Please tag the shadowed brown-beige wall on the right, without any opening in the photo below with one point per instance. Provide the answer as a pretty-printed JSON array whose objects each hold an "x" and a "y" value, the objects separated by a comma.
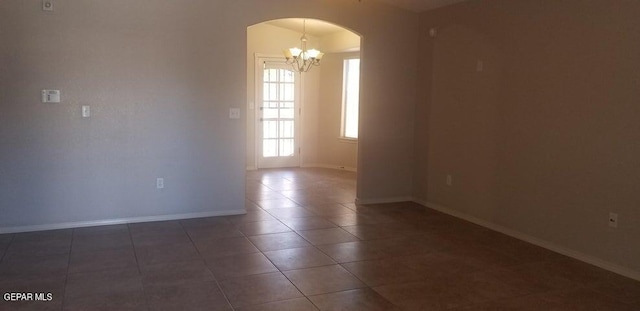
[{"x": 544, "y": 141}]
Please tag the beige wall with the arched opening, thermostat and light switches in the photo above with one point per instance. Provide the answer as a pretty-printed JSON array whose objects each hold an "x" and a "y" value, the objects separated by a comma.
[{"x": 160, "y": 77}]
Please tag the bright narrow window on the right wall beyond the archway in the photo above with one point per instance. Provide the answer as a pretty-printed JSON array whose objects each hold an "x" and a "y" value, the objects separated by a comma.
[{"x": 350, "y": 98}]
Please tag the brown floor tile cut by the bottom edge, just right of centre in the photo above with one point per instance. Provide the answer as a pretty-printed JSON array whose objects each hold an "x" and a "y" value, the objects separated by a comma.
[{"x": 355, "y": 300}]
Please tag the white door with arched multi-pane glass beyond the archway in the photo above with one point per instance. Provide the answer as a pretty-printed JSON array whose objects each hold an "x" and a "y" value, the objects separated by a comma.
[{"x": 278, "y": 116}]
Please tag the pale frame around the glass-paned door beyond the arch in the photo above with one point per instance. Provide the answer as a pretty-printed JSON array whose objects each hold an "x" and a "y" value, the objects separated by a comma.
[{"x": 259, "y": 58}]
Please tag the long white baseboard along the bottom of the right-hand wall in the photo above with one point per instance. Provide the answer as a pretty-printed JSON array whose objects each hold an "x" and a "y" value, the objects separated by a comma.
[{"x": 598, "y": 262}]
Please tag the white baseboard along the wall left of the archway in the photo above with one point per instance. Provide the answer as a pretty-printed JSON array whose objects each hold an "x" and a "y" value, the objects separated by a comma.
[{"x": 93, "y": 223}]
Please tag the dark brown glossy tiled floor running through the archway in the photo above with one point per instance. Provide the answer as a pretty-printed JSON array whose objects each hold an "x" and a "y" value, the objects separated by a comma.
[{"x": 303, "y": 245}]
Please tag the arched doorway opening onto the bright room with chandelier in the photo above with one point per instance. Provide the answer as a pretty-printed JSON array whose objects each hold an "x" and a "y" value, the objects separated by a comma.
[{"x": 318, "y": 134}]
